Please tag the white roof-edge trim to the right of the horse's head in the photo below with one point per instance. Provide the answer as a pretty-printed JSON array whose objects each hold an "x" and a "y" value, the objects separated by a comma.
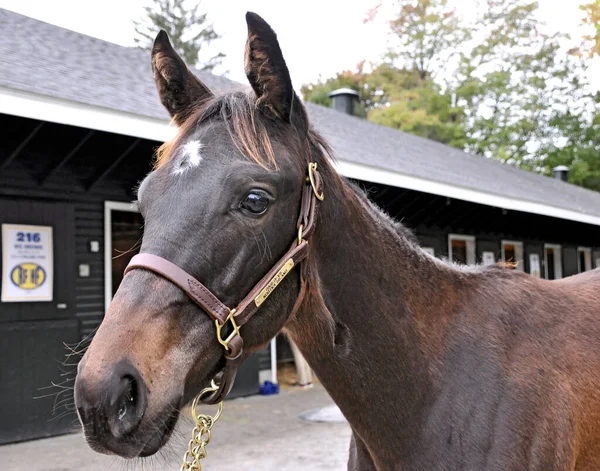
[{"x": 393, "y": 178}]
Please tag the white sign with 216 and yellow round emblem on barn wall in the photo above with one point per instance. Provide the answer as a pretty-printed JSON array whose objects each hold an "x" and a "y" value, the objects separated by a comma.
[{"x": 27, "y": 263}]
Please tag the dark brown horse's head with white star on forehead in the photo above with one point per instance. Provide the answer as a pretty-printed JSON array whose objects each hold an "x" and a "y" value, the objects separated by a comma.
[{"x": 222, "y": 204}]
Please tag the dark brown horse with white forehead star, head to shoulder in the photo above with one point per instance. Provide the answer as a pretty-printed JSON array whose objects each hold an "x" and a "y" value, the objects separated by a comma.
[{"x": 436, "y": 367}]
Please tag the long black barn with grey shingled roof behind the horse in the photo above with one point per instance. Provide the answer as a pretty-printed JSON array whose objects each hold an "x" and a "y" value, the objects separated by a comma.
[{"x": 80, "y": 120}]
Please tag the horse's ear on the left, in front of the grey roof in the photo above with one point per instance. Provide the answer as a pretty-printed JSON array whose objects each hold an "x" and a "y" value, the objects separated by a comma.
[{"x": 179, "y": 89}]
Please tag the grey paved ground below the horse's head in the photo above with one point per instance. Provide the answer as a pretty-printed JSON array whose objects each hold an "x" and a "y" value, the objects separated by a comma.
[{"x": 259, "y": 433}]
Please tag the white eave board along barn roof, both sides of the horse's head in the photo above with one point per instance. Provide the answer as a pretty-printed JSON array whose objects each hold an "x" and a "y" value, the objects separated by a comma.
[{"x": 56, "y": 110}]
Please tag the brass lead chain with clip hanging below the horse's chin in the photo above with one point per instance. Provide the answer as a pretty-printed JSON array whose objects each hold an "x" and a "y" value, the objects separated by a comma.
[{"x": 201, "y": 434}]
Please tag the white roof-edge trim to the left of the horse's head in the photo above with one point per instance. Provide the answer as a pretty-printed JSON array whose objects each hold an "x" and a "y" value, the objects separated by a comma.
[{"x": 56, "y": 110}]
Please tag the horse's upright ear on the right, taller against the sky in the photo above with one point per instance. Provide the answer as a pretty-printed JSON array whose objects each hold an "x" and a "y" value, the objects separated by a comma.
[{"x": 268, "y": 74}]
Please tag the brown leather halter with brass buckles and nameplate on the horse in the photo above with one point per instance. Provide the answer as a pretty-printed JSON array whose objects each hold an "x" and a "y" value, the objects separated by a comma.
[{"x": 312, "y": 192}]
